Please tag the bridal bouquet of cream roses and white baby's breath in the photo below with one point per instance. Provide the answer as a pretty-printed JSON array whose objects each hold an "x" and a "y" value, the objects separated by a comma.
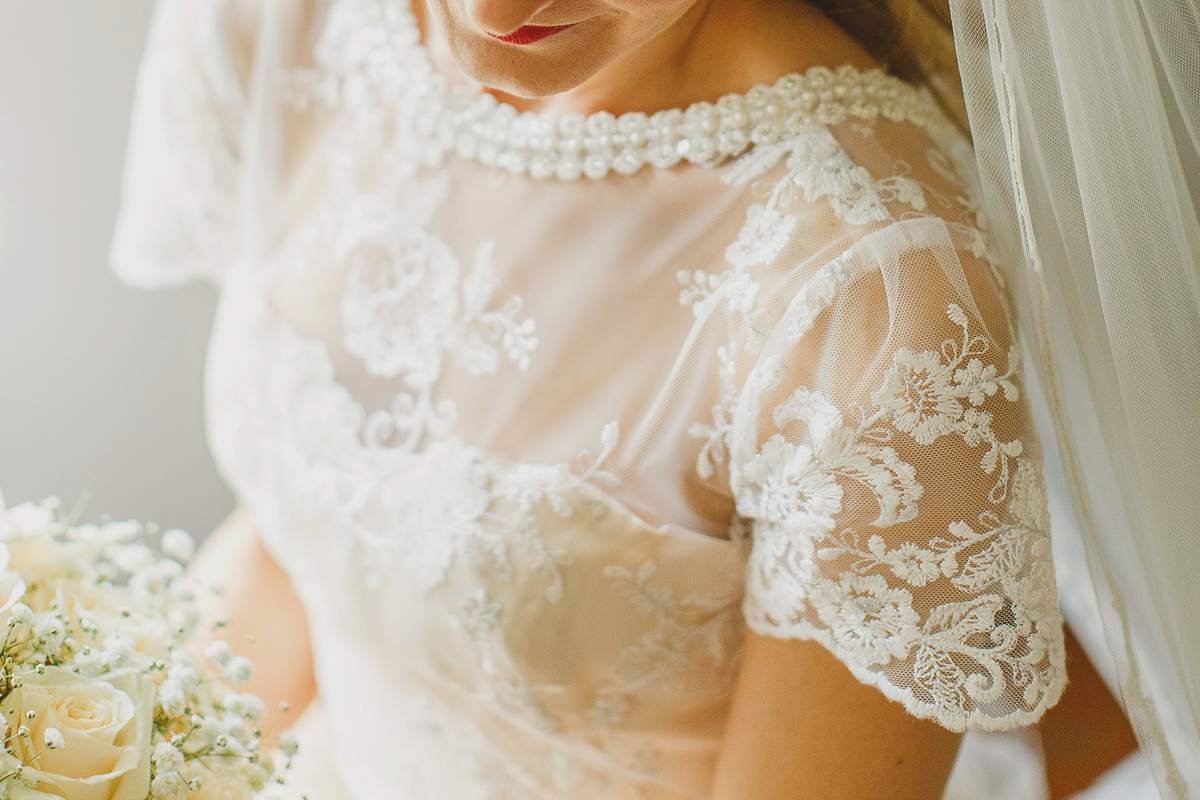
[{"x": 101, "y": 697}]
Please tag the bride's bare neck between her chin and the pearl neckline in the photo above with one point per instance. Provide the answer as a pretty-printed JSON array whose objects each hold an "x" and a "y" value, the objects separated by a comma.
[{"x": 717, "y": 49}]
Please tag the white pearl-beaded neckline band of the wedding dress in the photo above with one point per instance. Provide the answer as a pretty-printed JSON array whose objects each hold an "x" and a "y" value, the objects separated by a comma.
[{"x": 373, "y": 58}]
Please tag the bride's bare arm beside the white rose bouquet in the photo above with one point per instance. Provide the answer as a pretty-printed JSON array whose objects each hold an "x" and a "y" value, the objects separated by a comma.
[{"x": 267, "y": 622}]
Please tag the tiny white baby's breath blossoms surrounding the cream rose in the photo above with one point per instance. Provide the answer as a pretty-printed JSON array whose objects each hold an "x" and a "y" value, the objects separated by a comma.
[{"x": 109, "y": 606}]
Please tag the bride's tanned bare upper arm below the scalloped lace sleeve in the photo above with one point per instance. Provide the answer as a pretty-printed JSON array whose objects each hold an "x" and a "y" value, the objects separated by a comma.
[{"x": 803, "y": 729}]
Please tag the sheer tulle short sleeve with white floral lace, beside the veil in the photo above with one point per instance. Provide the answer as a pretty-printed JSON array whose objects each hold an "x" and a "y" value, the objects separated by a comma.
[{"x": 886, "y": 471}]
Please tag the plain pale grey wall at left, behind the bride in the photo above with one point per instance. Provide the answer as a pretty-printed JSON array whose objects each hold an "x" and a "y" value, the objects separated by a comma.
[{"x": 100, "y": 384}]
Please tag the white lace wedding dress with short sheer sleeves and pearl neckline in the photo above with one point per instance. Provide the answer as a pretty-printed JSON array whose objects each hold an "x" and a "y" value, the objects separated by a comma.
[{"x": 541, "y": 413}]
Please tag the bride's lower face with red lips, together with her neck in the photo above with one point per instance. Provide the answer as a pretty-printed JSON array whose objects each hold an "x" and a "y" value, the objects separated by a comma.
[{"x": 631, "y": 55}]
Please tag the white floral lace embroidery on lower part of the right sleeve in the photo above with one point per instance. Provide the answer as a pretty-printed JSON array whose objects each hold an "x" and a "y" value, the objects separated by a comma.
[{"x": 957, "y": 627}]
